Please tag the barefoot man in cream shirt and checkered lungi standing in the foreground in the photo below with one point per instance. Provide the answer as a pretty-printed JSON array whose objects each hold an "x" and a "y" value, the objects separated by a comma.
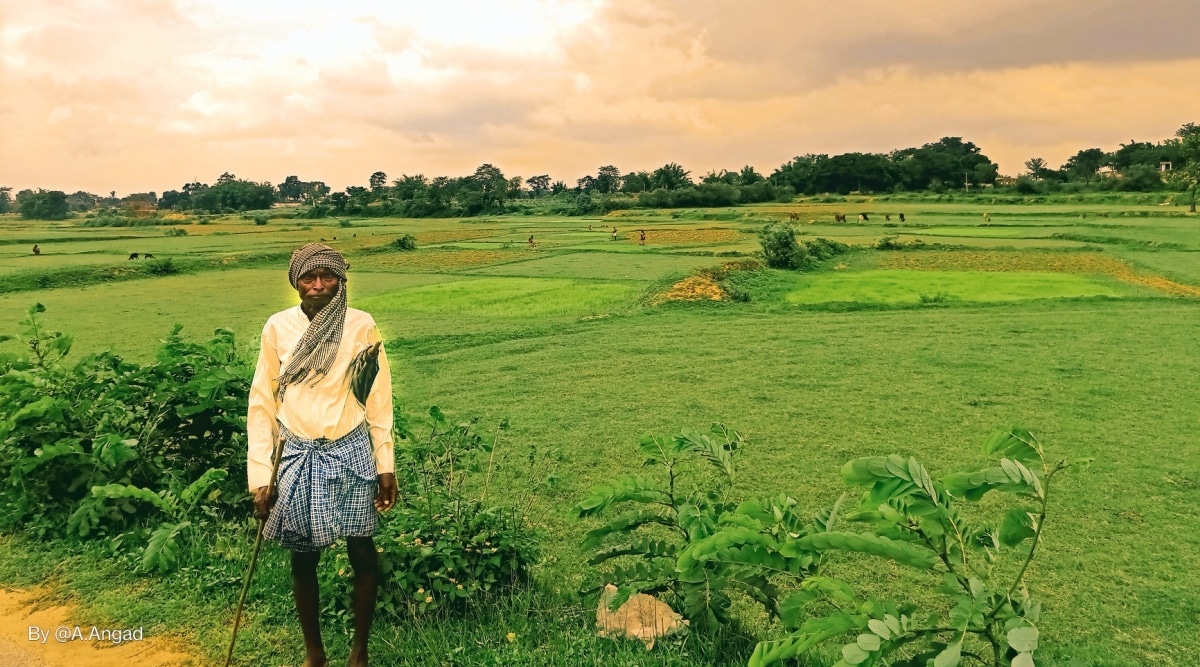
[{"x": 338, "y": 453}]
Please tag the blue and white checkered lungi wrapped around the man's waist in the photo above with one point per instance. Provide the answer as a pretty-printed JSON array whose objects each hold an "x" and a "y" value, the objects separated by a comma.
[{"x": 326, "y": 491}]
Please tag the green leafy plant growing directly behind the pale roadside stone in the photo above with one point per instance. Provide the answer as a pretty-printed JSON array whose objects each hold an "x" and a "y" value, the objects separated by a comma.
[{"x": 683, "y": 534}]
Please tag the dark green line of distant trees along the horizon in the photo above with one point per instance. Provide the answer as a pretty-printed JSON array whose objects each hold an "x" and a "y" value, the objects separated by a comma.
[{"x": 946, "y": 165}]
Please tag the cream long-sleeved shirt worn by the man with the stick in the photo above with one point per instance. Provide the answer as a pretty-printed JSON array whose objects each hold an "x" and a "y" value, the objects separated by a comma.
[{"x": 325, "y": 410}]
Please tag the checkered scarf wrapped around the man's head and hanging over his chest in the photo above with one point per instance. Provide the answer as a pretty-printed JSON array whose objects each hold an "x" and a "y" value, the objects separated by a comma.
[{"x": 315, "y": 353}]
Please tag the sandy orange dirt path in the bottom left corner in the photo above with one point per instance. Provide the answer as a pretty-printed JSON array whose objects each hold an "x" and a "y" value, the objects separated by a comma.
[{"x": 22, "y": 611}]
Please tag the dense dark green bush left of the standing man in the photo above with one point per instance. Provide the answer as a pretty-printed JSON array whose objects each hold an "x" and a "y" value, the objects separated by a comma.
[{"x": 70, "y": 428}]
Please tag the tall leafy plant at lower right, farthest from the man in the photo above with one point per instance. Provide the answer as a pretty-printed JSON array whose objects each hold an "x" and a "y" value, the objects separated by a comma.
[{"x": 988, "y": 618}]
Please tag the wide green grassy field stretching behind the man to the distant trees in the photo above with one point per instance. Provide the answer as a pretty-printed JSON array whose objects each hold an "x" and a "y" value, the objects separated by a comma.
[{"x": 815, "y": 369}]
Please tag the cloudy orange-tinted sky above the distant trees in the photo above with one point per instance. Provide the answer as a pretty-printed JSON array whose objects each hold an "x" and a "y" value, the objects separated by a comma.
[{"x": 147, "y": 95}]
